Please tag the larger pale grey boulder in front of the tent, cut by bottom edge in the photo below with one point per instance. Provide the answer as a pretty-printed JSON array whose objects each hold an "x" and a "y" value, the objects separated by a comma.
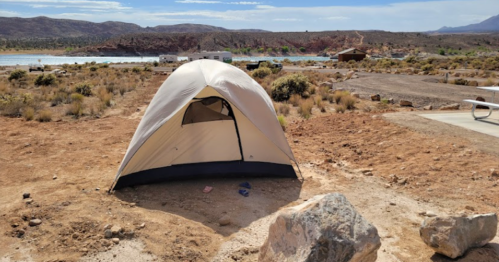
[{"x": 324, "y": 228}]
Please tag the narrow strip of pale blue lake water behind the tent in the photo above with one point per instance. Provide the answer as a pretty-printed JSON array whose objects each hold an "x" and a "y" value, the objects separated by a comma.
[{"x": 59, "y": 60}]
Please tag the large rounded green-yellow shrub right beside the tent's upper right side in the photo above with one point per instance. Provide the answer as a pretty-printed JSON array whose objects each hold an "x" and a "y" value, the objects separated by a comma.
[{"x": 284, "y": 87}]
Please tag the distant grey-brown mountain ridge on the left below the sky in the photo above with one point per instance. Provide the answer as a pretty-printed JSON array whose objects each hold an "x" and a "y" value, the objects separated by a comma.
[{"x": 45, "y": 27}]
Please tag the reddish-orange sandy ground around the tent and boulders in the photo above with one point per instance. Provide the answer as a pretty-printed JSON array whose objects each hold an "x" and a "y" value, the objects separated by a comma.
[{"x": 67, "y": 166}]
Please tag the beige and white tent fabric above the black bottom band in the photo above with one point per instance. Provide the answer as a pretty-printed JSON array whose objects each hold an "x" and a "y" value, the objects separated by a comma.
[{"x": 161, "y": 139}]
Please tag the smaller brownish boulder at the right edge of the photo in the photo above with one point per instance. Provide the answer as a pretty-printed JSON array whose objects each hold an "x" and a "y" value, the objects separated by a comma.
[{"x": 453, "y": 236}]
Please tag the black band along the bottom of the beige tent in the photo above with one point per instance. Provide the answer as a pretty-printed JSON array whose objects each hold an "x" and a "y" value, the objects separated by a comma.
[{"x": 206, "y": 170}]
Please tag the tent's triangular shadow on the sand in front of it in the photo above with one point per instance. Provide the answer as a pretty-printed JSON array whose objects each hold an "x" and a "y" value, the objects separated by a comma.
[{"x": 186, "y": 199}]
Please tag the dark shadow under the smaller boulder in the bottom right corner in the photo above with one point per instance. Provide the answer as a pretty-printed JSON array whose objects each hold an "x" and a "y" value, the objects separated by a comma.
[{"x": 487, "y": 253}]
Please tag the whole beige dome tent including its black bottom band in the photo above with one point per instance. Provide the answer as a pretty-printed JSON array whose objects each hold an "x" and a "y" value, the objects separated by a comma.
[{"x": 208, "y": 118}]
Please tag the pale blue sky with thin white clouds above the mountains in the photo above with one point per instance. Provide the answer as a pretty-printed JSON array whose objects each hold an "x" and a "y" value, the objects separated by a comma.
[{"x": 273, "y": 15}]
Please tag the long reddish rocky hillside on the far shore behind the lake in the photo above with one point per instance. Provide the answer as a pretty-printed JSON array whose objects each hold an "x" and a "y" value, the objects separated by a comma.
[{"x": 251, "y": 43}]
